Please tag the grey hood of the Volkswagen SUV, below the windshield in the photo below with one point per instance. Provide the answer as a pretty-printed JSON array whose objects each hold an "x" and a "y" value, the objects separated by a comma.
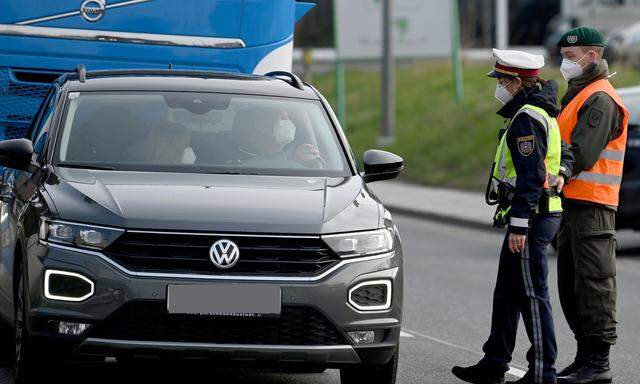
[{"x": 203, "y": 202}]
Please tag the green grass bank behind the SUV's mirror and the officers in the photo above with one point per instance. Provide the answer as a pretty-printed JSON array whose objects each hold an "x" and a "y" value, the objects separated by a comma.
[{"x": 443, "y": 142}]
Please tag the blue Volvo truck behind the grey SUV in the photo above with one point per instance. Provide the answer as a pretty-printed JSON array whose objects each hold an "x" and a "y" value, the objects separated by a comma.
[{"x": 40, "y": 39}]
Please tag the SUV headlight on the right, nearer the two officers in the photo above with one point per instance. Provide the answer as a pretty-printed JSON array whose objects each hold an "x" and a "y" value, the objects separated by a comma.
[{"x": 361, "y": 243}]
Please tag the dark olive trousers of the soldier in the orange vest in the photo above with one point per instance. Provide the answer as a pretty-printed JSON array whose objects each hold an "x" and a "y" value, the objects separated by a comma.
[{"x": 587, "y": 272}]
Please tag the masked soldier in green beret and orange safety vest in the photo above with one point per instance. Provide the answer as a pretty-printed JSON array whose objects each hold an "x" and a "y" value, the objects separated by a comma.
[{"x": 594, "y": 122}]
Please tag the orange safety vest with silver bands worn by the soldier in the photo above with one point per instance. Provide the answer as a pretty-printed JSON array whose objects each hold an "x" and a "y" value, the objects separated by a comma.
[{"x": 601, "y": 183}]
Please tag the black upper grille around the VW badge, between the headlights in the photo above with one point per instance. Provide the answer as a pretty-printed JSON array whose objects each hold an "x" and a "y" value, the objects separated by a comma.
[{"x": 189, "y": 253}]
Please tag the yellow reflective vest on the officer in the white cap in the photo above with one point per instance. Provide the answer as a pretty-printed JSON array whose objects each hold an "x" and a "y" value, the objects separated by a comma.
[{"x": 504, "y": 169}]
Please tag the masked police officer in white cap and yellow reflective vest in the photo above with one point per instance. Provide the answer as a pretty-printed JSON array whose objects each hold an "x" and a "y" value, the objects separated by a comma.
[{"x": 524, "y": 181}]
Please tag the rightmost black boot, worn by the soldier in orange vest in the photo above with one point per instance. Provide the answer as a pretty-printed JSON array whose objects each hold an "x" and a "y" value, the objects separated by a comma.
[{"x": 595, "y": 371}]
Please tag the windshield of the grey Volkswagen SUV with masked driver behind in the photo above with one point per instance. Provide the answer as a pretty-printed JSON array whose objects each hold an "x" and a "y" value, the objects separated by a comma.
[{"x": 199, "y": 132}]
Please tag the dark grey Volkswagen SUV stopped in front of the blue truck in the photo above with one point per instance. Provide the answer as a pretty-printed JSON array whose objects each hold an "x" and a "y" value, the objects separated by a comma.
[{"x": 197, "y": 214}]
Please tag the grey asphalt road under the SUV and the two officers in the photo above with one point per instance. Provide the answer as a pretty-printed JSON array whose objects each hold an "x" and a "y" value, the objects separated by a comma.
[{"x": 449, "y": 278}]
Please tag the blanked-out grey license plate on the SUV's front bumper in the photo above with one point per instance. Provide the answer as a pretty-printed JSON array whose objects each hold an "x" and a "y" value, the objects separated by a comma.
[{"x": 233, "y": 300}]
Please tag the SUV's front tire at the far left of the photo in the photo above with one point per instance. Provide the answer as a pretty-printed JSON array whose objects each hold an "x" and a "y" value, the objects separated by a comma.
[{"x": 26, "y": 364}]
